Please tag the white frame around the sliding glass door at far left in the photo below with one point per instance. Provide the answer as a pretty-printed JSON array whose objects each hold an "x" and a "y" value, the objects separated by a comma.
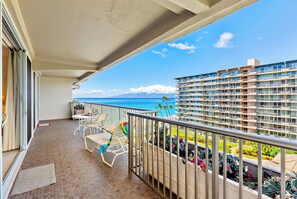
[{"x": 9, "y": 30}]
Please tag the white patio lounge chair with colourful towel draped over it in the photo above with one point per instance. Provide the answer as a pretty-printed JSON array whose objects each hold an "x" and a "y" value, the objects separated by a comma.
[{"x": 111, "y": 141}]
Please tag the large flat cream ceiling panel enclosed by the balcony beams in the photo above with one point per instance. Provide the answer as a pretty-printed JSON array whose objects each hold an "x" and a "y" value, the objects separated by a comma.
[{"x": 85, "y": 31}]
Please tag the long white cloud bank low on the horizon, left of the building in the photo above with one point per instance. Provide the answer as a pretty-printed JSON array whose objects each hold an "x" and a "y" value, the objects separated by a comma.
[{"x": 157, "y": 88}]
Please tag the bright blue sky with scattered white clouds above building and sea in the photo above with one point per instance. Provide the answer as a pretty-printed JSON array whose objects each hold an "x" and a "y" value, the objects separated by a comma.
[{"x": 265, "y": 30}]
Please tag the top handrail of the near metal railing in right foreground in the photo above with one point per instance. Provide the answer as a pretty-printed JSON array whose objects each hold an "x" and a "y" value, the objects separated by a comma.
[{"x": 283, "y": 143}]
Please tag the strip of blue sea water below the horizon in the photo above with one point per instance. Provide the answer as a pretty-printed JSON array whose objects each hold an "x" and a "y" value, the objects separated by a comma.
[{"x": 142, "y": 103}]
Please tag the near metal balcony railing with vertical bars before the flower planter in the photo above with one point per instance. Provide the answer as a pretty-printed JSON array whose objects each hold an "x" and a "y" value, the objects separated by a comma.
[{"x": 162, "y": 165}]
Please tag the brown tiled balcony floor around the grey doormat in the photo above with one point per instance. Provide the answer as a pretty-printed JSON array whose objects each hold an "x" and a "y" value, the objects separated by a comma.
[{"x": 79, "y": 174}]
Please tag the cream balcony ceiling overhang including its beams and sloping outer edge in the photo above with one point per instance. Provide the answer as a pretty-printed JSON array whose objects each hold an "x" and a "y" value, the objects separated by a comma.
[{"x": 79, "y": 38}]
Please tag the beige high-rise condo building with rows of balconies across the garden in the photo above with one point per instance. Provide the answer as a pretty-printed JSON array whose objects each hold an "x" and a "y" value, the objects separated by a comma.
[{"x": 254, "y": 98}]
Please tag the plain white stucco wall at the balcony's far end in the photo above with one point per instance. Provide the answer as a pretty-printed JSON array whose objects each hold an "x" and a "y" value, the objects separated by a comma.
[{"x": 55, "y": 95}]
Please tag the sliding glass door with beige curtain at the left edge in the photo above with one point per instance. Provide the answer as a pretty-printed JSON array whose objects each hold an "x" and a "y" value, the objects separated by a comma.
[{"x": 16, "y": 103}]
